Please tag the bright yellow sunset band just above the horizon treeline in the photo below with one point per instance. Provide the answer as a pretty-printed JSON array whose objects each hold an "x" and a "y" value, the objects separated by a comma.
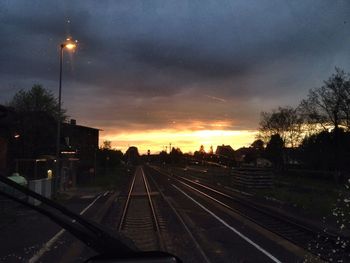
[{"x": 186, "y": 140}]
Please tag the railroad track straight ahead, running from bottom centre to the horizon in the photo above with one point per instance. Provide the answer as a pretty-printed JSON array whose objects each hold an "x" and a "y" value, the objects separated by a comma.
[{"x": 139, "y": 220}]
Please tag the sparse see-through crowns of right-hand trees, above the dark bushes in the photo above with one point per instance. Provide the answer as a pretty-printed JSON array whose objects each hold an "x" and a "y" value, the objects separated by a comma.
[{"x": 325, "y": 108}]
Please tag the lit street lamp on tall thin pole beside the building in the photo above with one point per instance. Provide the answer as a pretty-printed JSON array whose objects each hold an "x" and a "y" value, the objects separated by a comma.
[{"x": 69, "y": 45}]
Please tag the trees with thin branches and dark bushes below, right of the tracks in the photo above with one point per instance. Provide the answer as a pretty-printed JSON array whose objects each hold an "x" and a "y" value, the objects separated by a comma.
[{"x": 317, "y": 130}]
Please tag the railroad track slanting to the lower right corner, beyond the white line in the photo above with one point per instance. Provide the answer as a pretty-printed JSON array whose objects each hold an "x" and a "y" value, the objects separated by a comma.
[{"x": 319, "y": 243}]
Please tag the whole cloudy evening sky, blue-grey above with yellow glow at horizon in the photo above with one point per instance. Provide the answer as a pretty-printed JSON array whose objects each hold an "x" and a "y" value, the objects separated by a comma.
[{"x": 187, "y": 72}]
